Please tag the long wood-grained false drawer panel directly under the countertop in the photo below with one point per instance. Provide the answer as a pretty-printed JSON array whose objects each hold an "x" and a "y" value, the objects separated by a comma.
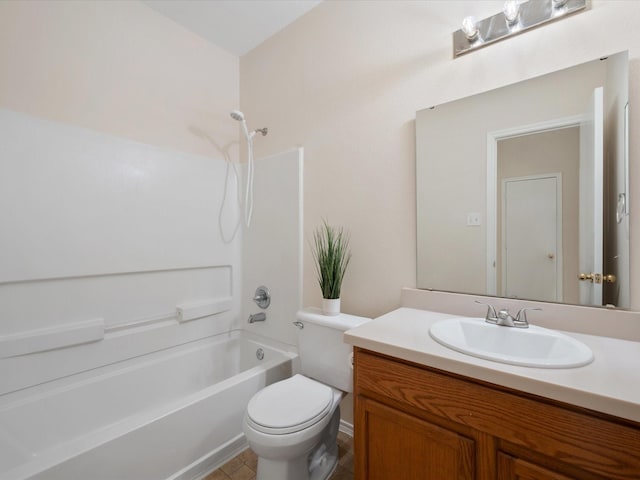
[{"x": 601, "y": 448}]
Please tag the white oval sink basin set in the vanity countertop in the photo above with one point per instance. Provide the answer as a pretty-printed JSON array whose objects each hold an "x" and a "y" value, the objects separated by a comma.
[{"x": 527, "y": 347}]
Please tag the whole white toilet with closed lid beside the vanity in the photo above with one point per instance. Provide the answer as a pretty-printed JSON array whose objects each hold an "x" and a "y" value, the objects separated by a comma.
[{"x": 292, "y": 425}]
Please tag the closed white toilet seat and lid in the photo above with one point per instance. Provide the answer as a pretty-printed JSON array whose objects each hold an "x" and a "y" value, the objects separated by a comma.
[{"x": 289, "y": 406}]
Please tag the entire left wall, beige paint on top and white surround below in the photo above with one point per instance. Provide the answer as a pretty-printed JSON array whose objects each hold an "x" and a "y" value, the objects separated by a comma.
[{"x": 113, "y": 176}]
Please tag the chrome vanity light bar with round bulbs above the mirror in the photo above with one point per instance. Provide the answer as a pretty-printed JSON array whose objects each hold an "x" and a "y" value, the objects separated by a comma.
[{"x": 516, "y": 17}]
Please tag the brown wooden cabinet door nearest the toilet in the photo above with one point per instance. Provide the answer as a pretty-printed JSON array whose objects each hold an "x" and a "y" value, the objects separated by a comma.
[{"x": 394, "y": 445}]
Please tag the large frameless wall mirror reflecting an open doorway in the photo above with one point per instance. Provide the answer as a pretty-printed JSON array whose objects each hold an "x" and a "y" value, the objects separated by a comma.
[{"x": 522, "y": 192}]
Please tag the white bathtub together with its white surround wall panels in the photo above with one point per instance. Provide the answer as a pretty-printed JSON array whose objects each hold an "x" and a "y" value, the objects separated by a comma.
[{"x": 123, "y": 310}]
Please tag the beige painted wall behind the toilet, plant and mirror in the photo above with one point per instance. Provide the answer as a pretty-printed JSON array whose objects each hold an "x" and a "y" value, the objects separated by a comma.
[{"x": 345, "y": 82}]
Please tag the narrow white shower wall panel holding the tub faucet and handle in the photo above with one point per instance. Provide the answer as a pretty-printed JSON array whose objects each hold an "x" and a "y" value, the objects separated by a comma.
[{"x": 273, "y": 246}]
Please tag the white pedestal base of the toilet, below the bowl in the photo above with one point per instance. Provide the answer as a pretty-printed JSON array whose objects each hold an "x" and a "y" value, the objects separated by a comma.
[{"x": 318, "y": 464}]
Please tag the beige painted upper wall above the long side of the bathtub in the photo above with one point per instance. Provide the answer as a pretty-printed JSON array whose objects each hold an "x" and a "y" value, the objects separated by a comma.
[{"x": 121, "y": 68}]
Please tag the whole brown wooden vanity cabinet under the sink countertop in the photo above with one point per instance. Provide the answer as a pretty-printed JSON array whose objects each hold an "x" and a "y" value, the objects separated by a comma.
[{"x": 415, "y": 422}]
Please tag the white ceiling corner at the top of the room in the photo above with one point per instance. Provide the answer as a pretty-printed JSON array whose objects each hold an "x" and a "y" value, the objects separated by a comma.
[{"x": 234, "y": 25}]
